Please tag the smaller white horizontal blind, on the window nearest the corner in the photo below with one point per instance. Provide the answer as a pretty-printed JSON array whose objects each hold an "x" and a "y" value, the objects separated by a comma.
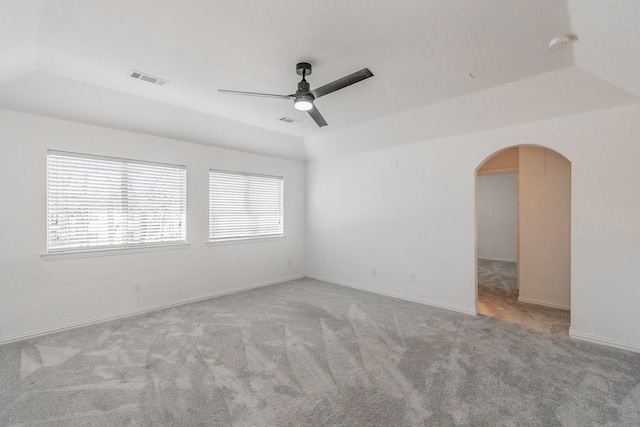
[{"x": 244, "y": 205}]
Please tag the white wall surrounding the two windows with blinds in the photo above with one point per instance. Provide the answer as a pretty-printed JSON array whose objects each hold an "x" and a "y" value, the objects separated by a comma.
[{"x": 37, "y": 295}]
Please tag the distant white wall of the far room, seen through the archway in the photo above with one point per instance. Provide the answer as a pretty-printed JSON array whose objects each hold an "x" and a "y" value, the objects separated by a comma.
[{"x": 497, "y": 216}]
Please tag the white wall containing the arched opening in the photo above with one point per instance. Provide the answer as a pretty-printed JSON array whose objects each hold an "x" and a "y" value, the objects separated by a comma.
[{"x": 410, "y": 209}]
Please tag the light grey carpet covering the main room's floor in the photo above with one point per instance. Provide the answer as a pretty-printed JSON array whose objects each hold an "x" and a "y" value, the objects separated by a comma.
[{"x": 308, "y": 353}]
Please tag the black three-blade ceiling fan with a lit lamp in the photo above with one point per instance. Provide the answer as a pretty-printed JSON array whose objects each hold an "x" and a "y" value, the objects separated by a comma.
[{"x": 304, "y": 96}]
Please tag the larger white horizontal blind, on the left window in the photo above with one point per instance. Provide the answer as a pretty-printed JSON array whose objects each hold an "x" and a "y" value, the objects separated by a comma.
[{"x": 100, "y": 202}]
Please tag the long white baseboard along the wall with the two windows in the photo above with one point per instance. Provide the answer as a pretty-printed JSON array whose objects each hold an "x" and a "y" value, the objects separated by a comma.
[{"x": 149, "y": 309}]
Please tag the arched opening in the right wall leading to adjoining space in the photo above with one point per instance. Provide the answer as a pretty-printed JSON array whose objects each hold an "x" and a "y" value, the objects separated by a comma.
[{"x": 523, "y": 225}]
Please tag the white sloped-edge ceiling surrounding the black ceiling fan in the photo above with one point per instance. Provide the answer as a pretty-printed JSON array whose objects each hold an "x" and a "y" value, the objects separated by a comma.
[{"x": 71, "y": 59}]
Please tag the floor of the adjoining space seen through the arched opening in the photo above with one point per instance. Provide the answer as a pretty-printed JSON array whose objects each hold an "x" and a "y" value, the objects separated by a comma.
[{"x": 498, "y": 298}]
